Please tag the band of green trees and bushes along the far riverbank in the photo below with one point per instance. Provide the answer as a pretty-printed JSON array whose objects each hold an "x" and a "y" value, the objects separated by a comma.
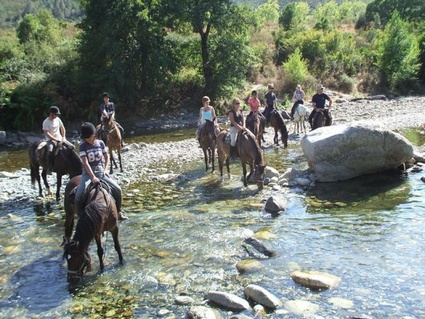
[{"x": 159, "y": 56}]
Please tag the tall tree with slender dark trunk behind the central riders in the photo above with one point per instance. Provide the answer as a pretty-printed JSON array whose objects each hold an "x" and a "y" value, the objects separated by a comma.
[{"x": 223, "y": 31}]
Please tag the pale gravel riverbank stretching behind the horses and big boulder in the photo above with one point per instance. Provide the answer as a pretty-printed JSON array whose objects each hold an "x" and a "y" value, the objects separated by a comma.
[{"x": 395, "y": 114}]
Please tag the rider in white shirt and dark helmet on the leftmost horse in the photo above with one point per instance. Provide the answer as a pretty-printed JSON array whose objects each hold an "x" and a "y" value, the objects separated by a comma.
[{"x": 55, "y": 132}]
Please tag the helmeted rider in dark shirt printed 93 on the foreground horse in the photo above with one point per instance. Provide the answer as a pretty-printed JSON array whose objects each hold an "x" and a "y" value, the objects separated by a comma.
[{"x": 95, "y": 158}]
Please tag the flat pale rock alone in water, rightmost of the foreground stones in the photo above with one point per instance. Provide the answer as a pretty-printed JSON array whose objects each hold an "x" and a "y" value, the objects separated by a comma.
[{"x": 315, "y": 279}]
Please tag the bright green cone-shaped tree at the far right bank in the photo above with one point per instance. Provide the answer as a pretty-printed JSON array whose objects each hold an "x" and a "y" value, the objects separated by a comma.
[{"x": 398, "y": 55}]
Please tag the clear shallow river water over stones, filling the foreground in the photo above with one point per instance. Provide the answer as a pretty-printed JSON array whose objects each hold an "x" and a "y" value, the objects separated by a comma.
[{"x": 184, "y": 237}]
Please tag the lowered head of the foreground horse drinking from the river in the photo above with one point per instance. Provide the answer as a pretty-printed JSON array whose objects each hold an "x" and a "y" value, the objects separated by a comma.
[{"x": 78, "y": 260}]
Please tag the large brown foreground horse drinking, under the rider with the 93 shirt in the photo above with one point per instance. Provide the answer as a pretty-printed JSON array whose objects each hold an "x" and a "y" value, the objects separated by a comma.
[{"x": 100, "y": 215}]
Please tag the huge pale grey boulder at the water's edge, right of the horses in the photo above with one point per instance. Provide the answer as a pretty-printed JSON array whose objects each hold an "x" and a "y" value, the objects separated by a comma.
[{"x": 342, "y": 152}]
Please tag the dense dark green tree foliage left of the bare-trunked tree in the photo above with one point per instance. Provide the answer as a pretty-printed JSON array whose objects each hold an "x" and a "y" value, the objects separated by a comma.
[{"x": 123, "y": 50}]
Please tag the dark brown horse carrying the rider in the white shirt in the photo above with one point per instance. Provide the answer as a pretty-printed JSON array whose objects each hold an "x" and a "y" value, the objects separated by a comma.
[{"x": 66, "y": 161}]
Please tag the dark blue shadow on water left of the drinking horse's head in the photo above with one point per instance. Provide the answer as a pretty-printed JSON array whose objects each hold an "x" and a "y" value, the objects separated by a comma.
[{"x": 40, "y": 286}]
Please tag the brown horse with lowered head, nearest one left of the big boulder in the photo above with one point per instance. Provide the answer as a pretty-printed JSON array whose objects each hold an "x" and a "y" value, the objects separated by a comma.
[{"x": 249, "y": 153}]
